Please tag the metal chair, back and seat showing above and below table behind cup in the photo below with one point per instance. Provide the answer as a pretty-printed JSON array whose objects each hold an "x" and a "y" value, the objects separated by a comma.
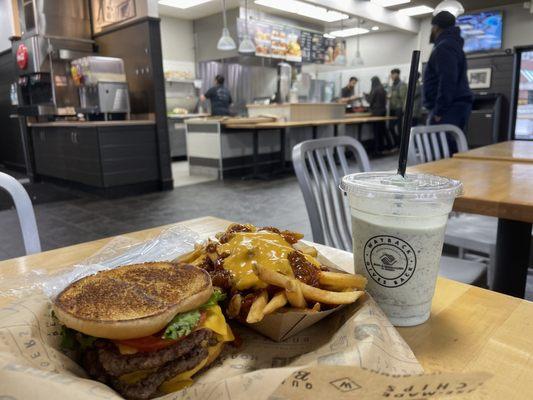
[{"x": 469, "y": 233}]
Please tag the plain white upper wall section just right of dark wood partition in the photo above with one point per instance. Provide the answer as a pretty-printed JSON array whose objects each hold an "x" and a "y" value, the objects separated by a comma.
[{"x": 177, "y": 41}]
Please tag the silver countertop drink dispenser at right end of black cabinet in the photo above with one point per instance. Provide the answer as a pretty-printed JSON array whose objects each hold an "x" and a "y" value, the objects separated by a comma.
[{"x": 103, "y": 88}]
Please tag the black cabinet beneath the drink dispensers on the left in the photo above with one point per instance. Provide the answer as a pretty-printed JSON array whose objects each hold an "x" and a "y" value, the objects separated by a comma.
[{"x": 104, "y": 156}]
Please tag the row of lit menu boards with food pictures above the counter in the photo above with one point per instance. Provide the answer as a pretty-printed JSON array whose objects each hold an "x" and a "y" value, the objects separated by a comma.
[{"x": 292, "y": 44}]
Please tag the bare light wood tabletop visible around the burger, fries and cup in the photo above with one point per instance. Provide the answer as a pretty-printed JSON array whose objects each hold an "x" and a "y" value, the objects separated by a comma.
[{"x": 470, "y": 329}]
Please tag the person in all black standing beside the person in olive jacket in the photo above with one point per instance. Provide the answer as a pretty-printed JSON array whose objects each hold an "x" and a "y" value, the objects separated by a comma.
[{"x": 377, "y": 99}]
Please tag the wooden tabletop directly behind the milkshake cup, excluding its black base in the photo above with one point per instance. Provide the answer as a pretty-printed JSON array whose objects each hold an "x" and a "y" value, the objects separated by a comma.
[{"x": 494, "y": 188}]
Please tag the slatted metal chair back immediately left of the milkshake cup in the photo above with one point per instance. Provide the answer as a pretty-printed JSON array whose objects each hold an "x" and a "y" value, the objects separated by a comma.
[{"x": 320, "y": 165}]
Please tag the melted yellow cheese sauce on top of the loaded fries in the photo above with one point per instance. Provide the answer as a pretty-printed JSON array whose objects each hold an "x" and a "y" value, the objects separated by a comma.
[{"x": 268, "y": 249}]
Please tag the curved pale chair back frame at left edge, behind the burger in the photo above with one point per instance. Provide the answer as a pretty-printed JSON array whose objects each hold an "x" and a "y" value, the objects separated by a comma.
[{"x": 28, "y": 225}]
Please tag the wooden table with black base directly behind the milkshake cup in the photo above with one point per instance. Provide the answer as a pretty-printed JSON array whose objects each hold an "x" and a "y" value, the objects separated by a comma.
[{"x": 503, "y": 190}]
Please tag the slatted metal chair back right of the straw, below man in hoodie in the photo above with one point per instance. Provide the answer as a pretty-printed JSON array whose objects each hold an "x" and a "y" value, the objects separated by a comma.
[{"x": 429, "y": 142}]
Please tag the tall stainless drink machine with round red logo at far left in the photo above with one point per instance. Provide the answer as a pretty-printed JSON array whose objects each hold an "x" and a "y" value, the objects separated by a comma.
[{"x": 54, "y": 33}]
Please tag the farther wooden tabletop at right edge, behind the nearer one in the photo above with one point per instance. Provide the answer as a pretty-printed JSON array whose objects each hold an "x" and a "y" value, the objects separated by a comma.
[{"x": 513, "y": 151}]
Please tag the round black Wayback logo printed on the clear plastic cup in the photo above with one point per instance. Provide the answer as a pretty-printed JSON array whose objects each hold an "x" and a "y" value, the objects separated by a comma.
[{"x": 390, "y": 261}]
